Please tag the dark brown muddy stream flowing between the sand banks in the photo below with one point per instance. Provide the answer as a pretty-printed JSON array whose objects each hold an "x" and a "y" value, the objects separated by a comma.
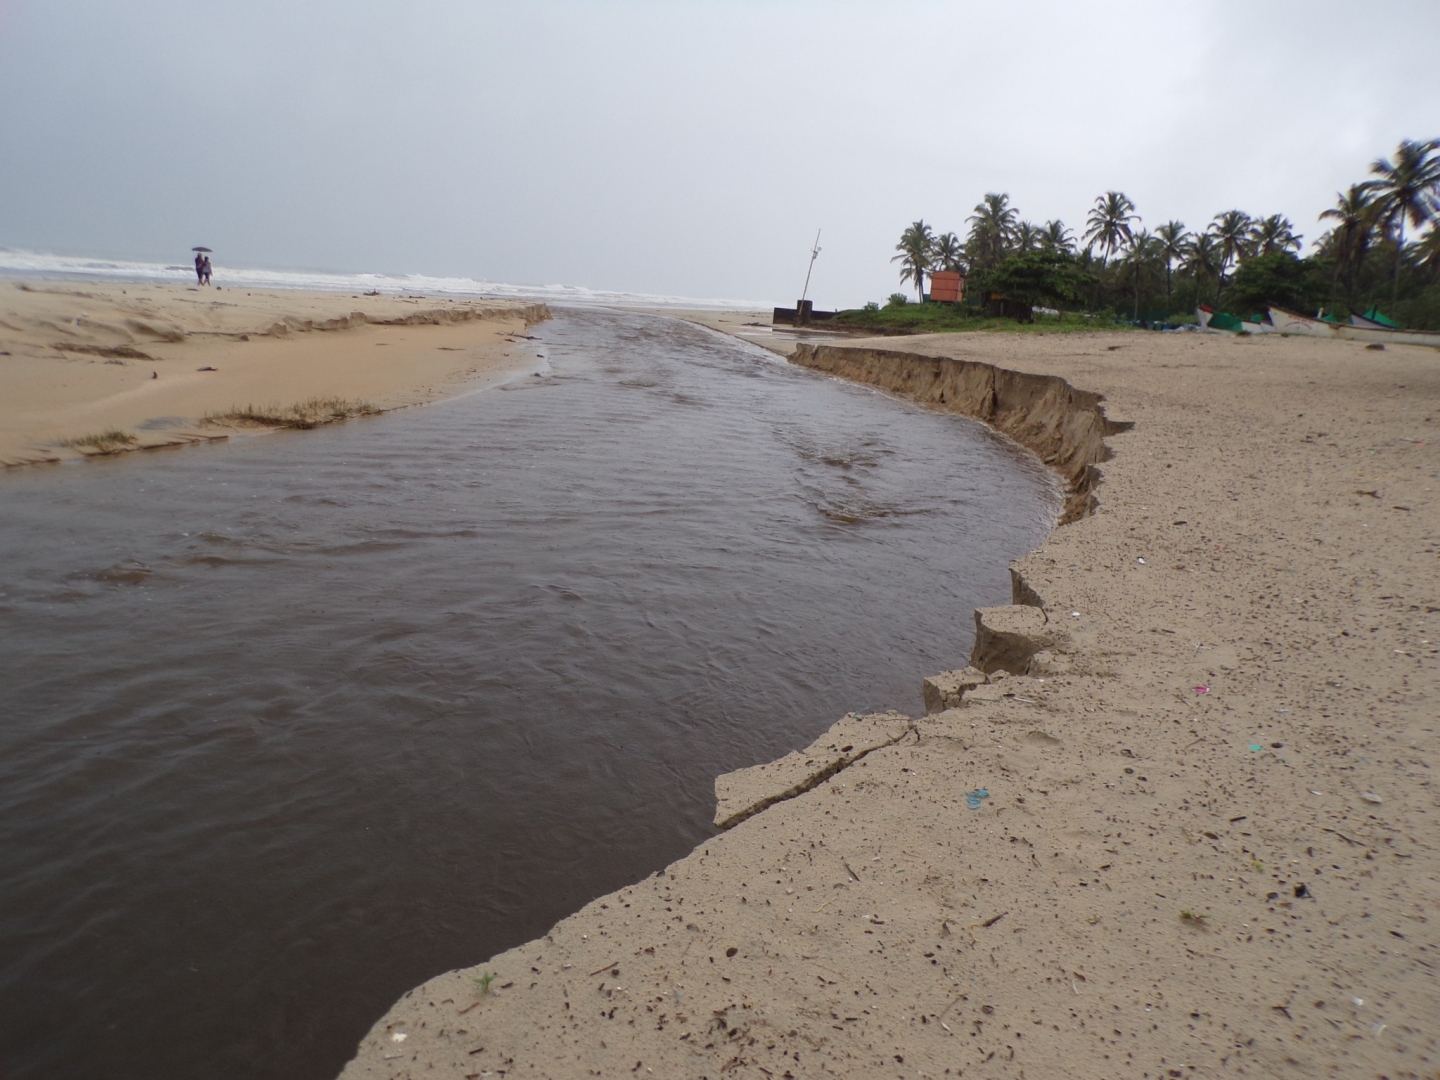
[{"x": 294, "y": 724}]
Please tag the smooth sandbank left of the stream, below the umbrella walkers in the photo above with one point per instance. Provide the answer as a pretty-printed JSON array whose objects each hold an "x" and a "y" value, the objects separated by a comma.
[{"x": 153, "y": 362}]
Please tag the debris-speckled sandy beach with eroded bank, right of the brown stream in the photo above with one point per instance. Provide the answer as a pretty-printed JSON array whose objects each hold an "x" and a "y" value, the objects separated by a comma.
[{"x": 1177, "y": 820}]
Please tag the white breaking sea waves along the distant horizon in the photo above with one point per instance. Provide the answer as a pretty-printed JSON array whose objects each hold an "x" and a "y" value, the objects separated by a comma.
[{"x": 25, "y": 264}]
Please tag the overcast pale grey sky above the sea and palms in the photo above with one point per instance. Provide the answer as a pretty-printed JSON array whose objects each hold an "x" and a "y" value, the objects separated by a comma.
[{"x": 676, "y": 148}]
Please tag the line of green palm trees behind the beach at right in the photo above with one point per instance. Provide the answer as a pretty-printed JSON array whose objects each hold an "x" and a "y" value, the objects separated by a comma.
[{"x": 1382, "y": 248}]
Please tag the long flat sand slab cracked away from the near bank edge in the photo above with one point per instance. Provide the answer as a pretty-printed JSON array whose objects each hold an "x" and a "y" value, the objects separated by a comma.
[{"x": 745, "y": 793}]
